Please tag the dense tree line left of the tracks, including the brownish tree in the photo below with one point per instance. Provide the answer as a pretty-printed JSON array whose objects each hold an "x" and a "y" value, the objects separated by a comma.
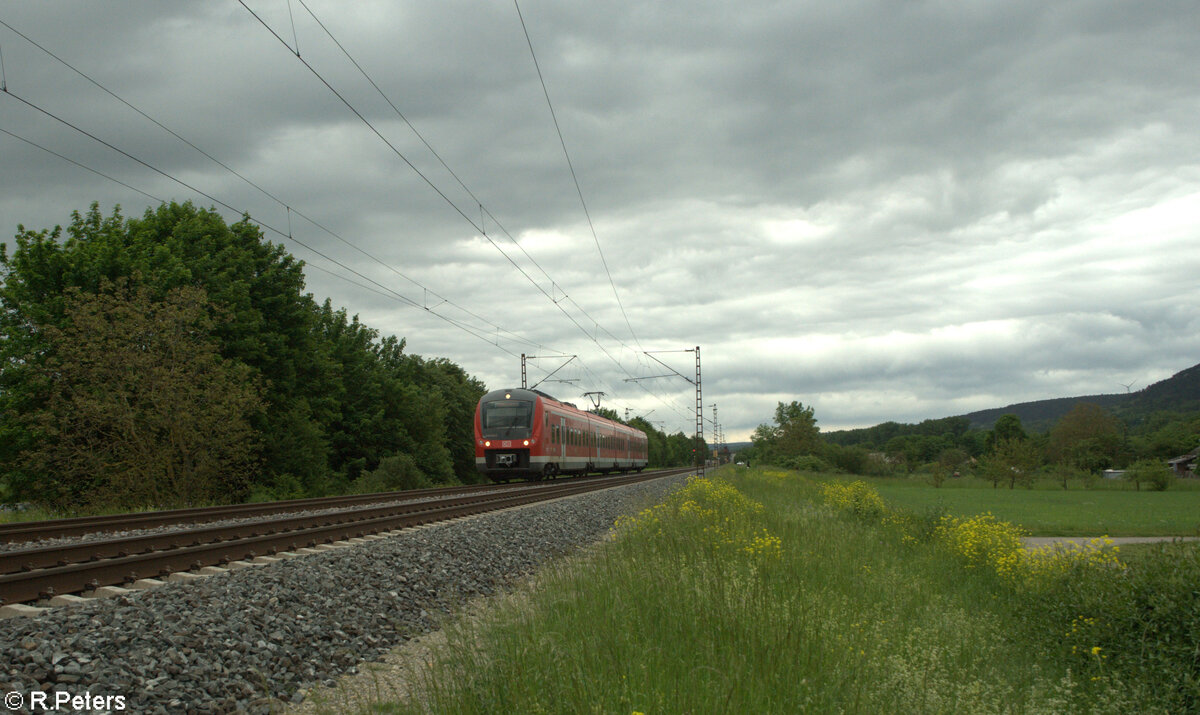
[{"x": 176, "y": 359}]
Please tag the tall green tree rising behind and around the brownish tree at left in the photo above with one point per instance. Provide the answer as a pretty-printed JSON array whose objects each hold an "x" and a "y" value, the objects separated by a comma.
[{"x": 268, "y": 327}]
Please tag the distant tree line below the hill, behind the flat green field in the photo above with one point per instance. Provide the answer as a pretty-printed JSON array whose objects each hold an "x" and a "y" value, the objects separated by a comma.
[{"x": 1083, "y": 443}]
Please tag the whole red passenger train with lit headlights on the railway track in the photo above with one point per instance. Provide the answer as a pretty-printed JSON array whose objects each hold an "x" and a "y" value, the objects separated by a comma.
[{"x": 526, "y": 434}]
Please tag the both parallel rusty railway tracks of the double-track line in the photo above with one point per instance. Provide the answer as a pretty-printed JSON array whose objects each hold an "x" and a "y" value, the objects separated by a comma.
[{"x": 40, "y": 573}]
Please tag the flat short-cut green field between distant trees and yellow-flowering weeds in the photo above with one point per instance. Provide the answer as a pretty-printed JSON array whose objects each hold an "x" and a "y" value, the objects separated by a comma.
[{"x": 1057, "y": 512}]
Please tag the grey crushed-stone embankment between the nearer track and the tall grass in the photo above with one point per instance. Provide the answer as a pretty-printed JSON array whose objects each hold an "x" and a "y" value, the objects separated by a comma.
[{"x": 235, "y": 641}]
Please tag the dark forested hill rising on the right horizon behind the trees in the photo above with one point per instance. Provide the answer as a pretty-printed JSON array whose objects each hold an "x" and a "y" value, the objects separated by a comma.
[{"x": 1179, "y": 393}]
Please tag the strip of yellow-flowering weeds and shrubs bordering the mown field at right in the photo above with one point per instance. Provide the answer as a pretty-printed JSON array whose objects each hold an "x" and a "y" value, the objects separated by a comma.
[{"x": 1081, "y": 602}]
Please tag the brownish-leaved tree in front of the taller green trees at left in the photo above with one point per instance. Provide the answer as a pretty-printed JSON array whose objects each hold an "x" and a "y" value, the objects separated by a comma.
[{"x": 139, "y": 407}]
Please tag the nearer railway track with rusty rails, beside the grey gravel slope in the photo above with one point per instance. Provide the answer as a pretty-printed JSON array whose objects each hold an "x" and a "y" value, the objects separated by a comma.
[{"x": 29, "y": 586}]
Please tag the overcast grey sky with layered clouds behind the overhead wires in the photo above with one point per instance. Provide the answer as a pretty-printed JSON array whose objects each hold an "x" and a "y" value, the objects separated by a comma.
[{"x": 886, "y": 211}]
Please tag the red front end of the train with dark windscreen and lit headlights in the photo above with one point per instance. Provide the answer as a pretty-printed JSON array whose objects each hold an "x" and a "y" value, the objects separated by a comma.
[{"x": 506, "y": 423}]
